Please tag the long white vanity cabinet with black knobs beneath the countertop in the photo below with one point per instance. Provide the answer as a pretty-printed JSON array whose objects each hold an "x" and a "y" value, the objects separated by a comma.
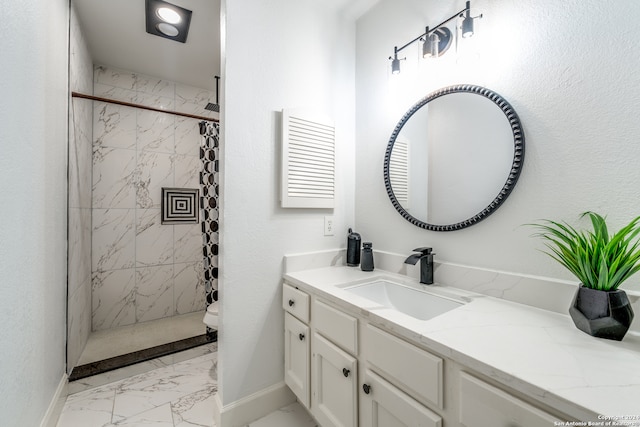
[{"x": 362, "y": 367}]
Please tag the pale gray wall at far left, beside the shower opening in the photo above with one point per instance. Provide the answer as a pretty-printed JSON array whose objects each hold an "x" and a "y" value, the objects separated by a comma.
[{"x": 33, "y": 182}]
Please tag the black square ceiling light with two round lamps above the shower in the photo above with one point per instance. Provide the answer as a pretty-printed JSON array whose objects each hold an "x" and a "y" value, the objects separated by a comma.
[{"x": 167, "y": 20}]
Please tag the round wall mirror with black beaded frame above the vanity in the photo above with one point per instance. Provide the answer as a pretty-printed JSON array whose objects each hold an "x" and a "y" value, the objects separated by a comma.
[{"x": 453, "y": 158}]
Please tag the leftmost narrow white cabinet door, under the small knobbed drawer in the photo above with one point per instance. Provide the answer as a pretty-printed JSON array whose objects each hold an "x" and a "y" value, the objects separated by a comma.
[{"x": 296, "y": 357}]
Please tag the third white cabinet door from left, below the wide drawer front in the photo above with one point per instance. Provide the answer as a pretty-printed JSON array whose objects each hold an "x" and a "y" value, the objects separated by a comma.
[{"x": 384, "y": 405}]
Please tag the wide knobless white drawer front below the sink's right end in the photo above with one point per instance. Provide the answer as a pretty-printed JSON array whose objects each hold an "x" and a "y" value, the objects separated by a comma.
[{"x": 410, "y": 368}]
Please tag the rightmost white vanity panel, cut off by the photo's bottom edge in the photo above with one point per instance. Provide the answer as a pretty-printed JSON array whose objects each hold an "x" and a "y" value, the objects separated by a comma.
[{"x": 483, "y": 405}]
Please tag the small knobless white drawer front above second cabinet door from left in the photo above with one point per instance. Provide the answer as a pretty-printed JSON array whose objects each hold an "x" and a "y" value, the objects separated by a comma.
[{"x": 339, "y": 327}]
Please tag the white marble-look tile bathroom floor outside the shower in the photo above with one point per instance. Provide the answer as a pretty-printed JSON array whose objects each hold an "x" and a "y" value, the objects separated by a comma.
[{"x": 177, "y": 393}]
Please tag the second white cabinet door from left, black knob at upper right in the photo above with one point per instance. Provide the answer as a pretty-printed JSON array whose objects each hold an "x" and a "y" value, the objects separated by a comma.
[{"x": 334, "y": 385}]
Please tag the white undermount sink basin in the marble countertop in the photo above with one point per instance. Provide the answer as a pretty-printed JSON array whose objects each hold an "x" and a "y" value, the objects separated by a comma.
[{"x": 410, "y": 301}]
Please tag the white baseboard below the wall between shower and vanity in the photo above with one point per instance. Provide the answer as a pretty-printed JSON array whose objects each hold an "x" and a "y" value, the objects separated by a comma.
[{"x": 252, "y": 407}]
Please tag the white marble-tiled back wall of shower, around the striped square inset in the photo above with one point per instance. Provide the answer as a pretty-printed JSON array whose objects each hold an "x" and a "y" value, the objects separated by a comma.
[{"x": 143, "y": 270}]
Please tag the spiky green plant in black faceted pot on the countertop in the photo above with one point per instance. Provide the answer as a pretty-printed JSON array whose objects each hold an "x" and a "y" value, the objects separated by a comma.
[{"x": 601, "y": 262}]
